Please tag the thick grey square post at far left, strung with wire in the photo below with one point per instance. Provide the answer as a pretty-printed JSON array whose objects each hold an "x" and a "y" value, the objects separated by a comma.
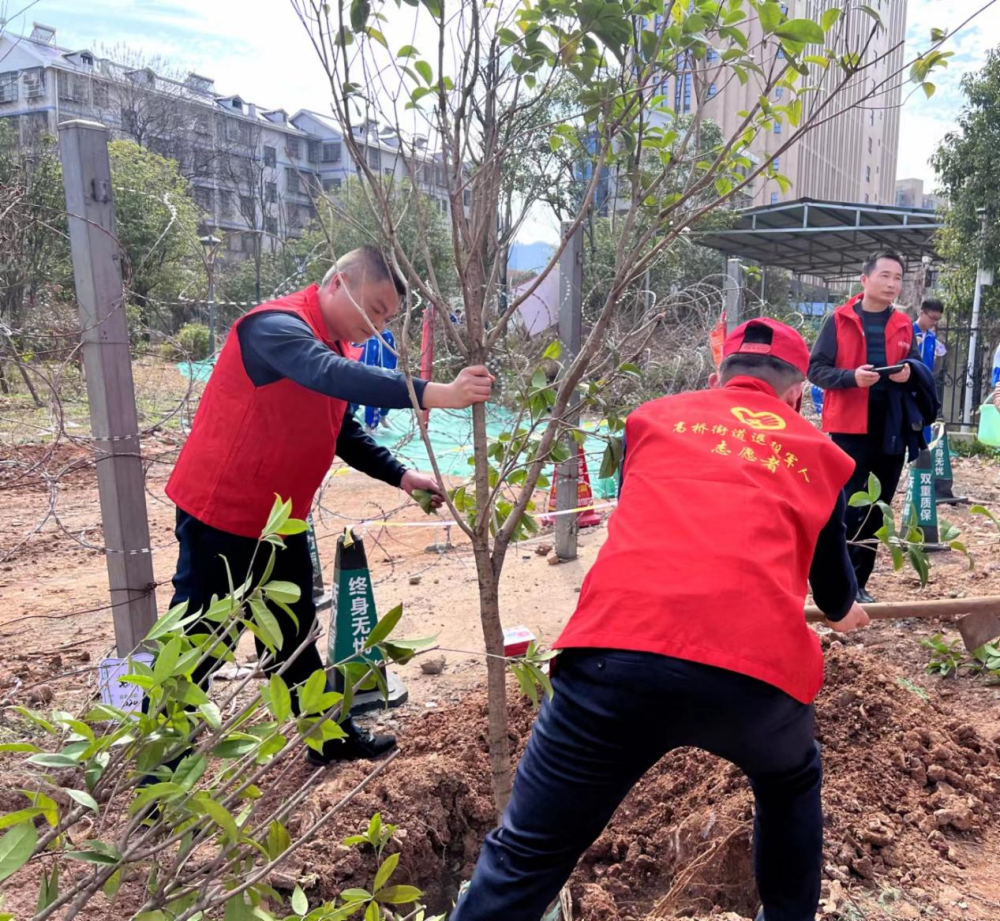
[{"x": 110, "y": 390}]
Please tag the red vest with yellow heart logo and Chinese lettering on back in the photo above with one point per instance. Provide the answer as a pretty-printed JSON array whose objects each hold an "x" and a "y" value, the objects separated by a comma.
[{"x": 708, "y": 553}]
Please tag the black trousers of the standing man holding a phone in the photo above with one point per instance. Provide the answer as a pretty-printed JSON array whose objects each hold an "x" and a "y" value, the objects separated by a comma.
[{"x": 869, "y": 457}]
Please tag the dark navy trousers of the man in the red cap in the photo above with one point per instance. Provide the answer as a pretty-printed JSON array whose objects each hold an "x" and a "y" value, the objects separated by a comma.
[{"x": 613, "y": 716}]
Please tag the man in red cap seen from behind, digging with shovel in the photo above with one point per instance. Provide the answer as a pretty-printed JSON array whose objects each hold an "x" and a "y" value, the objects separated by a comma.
[{"x": 690, "y": 632}]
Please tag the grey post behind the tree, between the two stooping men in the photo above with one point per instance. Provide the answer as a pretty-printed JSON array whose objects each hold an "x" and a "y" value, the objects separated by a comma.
[{"x": 571, "y": 336}]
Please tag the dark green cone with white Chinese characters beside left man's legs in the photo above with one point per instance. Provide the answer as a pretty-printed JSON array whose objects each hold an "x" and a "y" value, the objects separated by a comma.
[{"x": 353, "y": 615}]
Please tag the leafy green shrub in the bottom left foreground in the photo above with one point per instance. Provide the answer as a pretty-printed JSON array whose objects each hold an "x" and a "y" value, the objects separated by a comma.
[{"x": 172, "y": 799}]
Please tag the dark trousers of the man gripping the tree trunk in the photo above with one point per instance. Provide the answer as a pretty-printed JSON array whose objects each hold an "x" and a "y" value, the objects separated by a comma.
[{"x": 201, "y": 573}]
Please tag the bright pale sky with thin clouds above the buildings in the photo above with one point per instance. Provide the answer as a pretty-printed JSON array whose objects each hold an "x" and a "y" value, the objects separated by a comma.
[{"x": 259, "y": 49}]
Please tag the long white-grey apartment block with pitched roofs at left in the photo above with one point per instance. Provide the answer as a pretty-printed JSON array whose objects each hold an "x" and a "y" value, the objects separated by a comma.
[{"x": 255, "y": 172}]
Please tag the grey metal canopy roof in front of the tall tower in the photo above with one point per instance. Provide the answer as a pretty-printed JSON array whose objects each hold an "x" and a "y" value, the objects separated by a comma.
[{"x": 824, "y": 239}]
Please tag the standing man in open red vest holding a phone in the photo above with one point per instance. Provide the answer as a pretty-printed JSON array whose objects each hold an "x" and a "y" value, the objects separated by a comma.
[{"x": 868, "y": 362}]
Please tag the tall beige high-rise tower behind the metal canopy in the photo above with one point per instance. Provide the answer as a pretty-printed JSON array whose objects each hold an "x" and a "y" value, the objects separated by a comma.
[{"x": 850, "y": 158}]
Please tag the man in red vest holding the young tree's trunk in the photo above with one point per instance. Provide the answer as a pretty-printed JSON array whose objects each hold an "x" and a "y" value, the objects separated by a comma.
[{"x": 270, "y": 422}]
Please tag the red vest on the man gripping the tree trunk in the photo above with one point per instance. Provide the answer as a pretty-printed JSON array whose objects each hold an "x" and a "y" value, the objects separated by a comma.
[{"x": 249, "y": 443}]
